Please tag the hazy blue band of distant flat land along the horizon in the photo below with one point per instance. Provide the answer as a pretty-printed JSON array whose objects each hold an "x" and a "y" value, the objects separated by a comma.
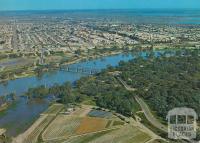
[{"x": 148, "y": 16}]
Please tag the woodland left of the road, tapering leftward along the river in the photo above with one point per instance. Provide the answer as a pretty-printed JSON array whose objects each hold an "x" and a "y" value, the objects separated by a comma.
[{"x": 103, "y": 90}]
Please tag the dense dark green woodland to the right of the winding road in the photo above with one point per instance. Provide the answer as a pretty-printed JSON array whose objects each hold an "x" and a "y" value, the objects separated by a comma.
[{"x": 166, "y": 82}]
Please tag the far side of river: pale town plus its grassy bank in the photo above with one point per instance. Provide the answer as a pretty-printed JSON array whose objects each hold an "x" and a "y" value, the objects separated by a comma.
[{"x": 26, "y": 42}]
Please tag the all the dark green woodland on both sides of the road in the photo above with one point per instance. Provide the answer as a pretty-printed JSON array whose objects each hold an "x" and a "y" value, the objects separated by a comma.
[{"x": 164, "y": 82}]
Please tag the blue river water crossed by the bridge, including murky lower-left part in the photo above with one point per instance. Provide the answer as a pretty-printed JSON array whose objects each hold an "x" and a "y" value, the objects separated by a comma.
[{"x": 21, "y": 115}]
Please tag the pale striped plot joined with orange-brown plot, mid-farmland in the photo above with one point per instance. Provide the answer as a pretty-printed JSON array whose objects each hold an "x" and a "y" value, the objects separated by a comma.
[{"x": 66, "y": 126}]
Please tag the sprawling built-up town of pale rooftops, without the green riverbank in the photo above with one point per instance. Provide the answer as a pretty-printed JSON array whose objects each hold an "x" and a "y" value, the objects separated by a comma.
[{"x": 53, "y": 33}]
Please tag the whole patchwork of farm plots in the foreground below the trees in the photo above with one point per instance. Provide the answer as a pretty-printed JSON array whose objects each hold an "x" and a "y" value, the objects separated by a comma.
[{"x": 84, "y": 125}]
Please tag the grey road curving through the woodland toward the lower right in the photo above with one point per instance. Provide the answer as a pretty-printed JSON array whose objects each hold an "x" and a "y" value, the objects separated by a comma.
[{"x": 150, "y": 117}]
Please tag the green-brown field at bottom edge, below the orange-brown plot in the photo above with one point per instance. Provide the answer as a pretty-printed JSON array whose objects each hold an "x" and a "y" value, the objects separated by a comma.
[{"x": 126, "y": 134}]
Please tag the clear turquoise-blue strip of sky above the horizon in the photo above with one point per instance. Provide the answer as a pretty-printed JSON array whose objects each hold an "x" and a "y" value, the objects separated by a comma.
[{"x": 96, "y": 4}]
